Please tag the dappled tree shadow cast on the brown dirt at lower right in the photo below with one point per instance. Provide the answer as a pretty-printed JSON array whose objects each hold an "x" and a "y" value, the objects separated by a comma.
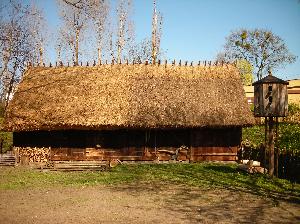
[{"x": 207, "y": 205}]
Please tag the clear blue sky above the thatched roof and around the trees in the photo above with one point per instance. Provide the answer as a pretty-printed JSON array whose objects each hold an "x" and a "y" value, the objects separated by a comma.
[{"x": 195, "y": 30}]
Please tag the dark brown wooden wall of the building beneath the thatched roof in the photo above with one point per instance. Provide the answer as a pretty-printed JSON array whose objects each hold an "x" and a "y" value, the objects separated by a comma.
[{"x": 141, "y": 145}]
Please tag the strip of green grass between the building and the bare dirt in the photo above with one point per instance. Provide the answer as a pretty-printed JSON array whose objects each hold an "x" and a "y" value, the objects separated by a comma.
[{"x": 201, "y": 175}]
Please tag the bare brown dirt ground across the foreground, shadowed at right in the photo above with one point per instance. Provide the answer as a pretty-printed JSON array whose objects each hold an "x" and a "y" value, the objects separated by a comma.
[{"x": 141, "y": 204}]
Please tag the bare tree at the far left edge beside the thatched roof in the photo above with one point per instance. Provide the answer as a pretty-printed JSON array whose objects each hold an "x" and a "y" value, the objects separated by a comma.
[{"x": 21, "y": 41}]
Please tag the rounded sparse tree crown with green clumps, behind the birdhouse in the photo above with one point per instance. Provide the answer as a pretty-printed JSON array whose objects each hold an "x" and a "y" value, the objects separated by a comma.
[{"x": 261, "y": 47}]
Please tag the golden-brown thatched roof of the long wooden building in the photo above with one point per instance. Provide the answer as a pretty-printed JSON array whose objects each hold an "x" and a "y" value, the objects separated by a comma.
[{"x": 128, "y": 96}]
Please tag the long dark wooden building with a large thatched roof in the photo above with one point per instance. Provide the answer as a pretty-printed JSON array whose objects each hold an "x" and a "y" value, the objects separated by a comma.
[{"x": 130, "y": 112}]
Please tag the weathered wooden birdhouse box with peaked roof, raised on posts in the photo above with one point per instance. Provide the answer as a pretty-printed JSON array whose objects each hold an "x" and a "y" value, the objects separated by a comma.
[{"x": 270, "y": 97}]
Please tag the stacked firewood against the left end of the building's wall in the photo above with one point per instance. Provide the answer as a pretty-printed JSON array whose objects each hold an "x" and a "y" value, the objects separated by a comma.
[{"x": 34, "y": 154}]
